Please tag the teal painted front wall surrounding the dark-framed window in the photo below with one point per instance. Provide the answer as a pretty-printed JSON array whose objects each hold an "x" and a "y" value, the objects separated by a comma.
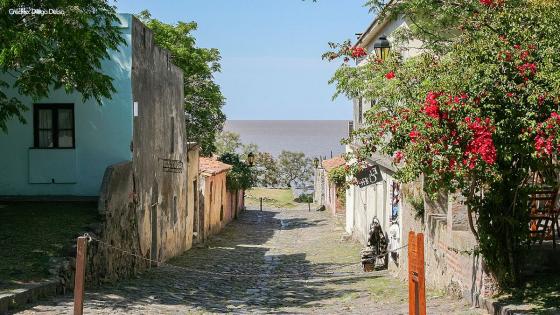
[{"x": 103, "y": 134}]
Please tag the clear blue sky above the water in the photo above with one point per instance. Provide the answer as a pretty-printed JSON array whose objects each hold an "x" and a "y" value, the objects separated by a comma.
[{"x": 271, "y": 51}]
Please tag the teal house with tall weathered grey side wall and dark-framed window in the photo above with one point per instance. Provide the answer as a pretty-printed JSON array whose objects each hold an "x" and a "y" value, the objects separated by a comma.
[{"x": 130, "y": 152}]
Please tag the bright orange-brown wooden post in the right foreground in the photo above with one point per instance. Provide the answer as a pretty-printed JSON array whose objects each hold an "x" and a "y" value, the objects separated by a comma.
[{"x": 416, "y": 274}]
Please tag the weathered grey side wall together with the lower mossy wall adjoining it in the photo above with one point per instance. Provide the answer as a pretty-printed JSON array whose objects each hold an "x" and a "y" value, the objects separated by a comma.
[{"x": 144, "y": 203}]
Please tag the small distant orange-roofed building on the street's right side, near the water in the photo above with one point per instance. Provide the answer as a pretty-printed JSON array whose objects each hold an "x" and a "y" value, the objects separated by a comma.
[{"x": 327, "y": 193}]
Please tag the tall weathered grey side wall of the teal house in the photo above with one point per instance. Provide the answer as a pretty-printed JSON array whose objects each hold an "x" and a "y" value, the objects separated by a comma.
[{"x": 160, "y": 149}]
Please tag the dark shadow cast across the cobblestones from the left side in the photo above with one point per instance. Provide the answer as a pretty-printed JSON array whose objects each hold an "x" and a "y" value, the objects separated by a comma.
[{"x": 234, "y": 271}]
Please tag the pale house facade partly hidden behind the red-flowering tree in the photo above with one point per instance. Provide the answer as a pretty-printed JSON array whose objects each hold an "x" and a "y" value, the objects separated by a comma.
[{"x": 448, "y": 241}]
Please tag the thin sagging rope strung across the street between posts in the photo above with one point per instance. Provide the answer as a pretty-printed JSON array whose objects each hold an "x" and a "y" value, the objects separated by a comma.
[{"x": 229, "y": 274}]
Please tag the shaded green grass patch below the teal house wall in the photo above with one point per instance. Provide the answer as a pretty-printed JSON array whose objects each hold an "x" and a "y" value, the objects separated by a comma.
[{"x": 33, "y": 232}]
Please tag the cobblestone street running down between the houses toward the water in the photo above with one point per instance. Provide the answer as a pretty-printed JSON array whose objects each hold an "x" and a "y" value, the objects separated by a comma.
[{"x": 275, "y": 261}]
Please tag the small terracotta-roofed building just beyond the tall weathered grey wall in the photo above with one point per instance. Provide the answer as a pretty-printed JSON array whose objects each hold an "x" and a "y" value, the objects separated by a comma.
[{"x": 218, "y": 206}]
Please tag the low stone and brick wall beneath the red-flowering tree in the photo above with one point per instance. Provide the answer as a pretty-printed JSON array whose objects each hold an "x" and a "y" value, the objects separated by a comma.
[{"x": 450, "y": 263}]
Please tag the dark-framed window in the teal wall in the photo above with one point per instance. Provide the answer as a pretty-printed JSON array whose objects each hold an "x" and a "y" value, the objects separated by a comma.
[{"x": 53, "y": 125}]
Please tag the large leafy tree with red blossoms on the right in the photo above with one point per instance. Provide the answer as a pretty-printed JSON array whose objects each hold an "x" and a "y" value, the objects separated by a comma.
[{"x": 475, "y": 111}]
